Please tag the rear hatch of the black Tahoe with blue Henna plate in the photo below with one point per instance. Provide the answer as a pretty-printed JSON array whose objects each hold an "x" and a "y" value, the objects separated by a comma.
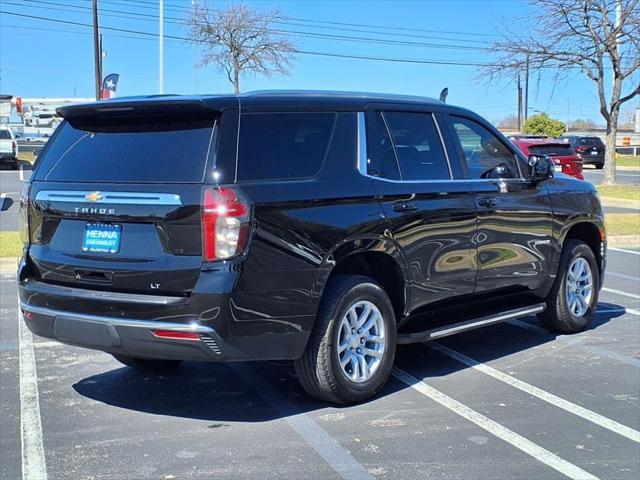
[{"x": 115, "y": 199}]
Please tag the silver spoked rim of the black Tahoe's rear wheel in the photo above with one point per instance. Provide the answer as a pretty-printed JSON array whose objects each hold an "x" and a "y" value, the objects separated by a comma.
[{"x": 361, "y": 341}]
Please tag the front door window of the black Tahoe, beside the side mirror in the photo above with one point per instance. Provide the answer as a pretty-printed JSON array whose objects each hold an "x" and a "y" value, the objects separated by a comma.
[{"x": 485, "y": 154}]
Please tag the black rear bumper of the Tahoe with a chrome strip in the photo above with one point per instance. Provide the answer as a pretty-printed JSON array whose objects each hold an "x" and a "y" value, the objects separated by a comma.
[{"x": 123, "y": 323}]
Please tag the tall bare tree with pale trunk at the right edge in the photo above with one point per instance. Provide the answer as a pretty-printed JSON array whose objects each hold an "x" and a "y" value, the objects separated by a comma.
[{"x": 596, "y": 38}]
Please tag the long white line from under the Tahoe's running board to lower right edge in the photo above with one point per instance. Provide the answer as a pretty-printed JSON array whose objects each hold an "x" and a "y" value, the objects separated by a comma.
[{"x": 566, "y": 405}]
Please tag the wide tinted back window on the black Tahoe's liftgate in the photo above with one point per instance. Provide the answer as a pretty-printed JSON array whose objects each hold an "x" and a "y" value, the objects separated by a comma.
[{"x": 158, "y": 152}]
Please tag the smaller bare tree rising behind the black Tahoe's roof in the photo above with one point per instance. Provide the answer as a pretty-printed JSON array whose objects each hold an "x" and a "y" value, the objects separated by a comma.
[{"x": 240, "y": 40}]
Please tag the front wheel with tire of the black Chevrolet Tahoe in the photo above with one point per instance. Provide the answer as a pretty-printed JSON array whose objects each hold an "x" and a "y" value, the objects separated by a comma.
[{"x": 559, "y": 316}]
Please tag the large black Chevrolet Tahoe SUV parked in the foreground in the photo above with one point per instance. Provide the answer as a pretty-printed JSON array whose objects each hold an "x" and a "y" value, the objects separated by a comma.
[{"x": 323, "y": 228}]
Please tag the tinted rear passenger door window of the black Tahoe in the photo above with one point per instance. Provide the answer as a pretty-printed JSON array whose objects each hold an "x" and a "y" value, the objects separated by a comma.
[{"x": 418, "y": 146}]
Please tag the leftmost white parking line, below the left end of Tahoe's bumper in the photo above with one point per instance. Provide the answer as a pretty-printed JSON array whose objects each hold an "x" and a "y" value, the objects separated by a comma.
[{"x": 34, "y": 466}]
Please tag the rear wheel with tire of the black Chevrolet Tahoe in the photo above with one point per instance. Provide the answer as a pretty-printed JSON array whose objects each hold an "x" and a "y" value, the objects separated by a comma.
[{"x": 320, "y": 369}]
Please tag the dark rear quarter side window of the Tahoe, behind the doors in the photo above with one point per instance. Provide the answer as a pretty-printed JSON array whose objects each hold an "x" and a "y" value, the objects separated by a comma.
[{"x": 283, "y": 145}]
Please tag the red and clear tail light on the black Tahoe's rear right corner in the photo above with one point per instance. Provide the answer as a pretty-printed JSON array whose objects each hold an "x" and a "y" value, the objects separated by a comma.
[{"x": 225, "y": 223}]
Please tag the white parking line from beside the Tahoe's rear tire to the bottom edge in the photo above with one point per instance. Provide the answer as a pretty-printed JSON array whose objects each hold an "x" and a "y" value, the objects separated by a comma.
[{"x": 527, "y": 446}]
